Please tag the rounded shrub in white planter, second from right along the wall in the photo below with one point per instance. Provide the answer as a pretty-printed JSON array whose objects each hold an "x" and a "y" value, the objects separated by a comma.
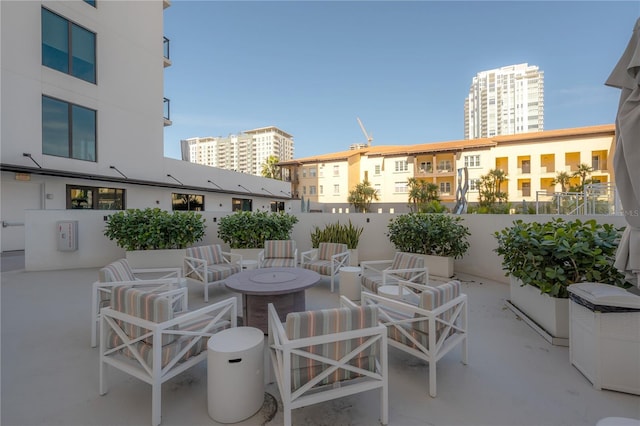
[{"x": 440, "y": 237}]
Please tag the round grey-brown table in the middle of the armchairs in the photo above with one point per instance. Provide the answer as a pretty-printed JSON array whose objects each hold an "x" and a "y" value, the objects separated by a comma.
[{"x": 284, "y": 287}]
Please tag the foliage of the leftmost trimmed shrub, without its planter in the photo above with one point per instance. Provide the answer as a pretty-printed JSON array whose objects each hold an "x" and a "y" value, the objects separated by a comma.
[{"x": 154, "y": 229}]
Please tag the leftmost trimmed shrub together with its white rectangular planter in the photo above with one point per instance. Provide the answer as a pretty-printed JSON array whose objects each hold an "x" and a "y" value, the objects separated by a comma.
[{"x": 165, "y": 234}]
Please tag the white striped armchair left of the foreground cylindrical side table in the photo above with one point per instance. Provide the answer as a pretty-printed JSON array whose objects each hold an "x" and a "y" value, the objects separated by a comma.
[{"x": 144, "y": 335}]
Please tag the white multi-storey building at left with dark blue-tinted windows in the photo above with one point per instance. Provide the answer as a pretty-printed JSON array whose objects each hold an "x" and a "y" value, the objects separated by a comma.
[{"x": 82, "y": 118}]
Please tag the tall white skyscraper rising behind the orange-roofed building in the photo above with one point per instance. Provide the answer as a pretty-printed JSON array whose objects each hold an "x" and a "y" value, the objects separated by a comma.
[{"x": 505, "y": 101}]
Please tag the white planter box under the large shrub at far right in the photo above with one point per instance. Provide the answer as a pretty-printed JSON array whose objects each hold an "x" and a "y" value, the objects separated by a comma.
[{"x": 550, "y": 313}]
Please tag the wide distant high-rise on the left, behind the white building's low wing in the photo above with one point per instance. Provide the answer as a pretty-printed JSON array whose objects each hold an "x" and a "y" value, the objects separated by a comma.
[{"x": 245, "y": 152}]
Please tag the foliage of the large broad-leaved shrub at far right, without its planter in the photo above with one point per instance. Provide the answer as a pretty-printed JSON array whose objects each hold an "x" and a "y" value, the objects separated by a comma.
[{"x": 555, "y": 254}]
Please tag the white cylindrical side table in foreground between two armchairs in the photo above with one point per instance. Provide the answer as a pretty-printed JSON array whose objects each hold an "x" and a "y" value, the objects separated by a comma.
[{"x": 235, "y": 374}]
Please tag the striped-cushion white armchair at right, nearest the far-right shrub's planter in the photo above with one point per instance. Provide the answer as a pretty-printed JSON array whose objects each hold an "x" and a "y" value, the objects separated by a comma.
[{"x": 428, "y": 330}]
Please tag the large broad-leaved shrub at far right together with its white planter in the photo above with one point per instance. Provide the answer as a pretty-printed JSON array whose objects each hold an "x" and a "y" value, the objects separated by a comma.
[{"x": 543, "y": 259}]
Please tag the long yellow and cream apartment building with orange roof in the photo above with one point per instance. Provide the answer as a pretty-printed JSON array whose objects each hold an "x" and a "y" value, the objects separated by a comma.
[{"x": 530, "y": 161}]
